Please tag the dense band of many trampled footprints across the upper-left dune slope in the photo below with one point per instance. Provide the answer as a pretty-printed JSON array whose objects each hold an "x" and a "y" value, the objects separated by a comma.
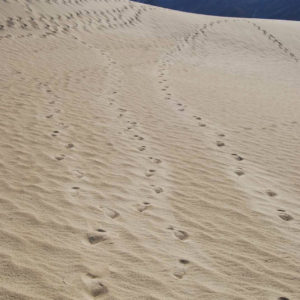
[{"x": 124, "y": 16}]
